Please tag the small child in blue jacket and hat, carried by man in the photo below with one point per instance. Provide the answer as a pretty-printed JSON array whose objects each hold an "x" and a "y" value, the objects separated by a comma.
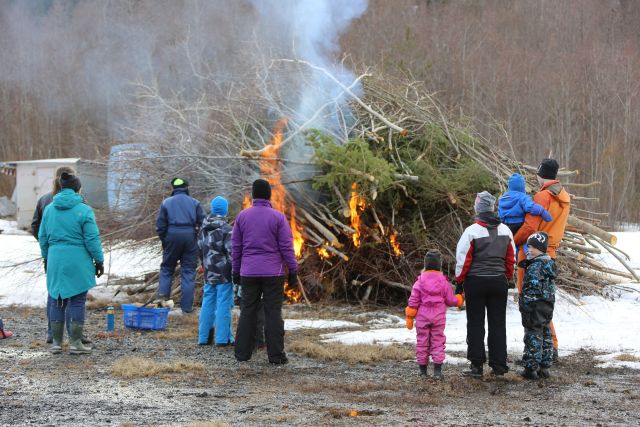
[{"x": 515, "y": 203}]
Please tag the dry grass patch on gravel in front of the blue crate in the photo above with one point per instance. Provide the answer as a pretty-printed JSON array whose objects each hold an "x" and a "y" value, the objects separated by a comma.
[{"x": 138, "y": 367}]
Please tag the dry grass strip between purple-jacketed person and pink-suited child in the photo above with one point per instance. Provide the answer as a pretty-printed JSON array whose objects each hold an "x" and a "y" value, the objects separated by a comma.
[{"x": 359, "y": 353}]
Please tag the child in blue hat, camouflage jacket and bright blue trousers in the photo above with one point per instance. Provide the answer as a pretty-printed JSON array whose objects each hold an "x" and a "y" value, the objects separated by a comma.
[{"x": 214, "y": 241}]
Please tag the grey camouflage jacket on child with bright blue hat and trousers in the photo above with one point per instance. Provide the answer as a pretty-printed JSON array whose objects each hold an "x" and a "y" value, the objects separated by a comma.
[{"x": 214, "y": 241}]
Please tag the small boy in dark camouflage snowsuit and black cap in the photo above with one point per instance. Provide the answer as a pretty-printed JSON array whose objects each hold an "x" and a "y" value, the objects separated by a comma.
[{"x": 536, "y": 307}]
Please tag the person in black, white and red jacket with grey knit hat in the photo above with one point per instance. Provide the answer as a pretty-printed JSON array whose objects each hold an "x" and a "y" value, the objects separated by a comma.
[{"x": 485, "y": 258}]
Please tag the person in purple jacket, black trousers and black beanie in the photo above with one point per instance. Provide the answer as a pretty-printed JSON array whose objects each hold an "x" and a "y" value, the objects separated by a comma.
[{"x": 262, "y": 251}]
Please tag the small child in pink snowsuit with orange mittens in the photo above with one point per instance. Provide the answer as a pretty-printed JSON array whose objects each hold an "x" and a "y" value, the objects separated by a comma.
[{"x": 430, "y": 296}]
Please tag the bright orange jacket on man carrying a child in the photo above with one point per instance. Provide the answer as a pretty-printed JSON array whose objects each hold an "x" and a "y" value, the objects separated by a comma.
[{"x": 555, "y": 199}]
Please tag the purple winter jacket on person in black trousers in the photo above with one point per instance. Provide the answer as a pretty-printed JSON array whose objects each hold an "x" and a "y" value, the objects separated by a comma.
[{"x": 262, "y": 242}]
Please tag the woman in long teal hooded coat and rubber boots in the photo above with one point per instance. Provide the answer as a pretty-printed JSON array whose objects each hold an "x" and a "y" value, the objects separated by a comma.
[{"x": 72, "y": 252}]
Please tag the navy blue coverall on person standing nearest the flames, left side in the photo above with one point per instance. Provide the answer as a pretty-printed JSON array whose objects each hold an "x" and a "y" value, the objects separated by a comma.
[{"x": 177, "y": 223}]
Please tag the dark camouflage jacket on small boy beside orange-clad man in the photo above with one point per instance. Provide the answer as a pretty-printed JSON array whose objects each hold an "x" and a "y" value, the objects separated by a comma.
[{"x": 539, "y": 280}]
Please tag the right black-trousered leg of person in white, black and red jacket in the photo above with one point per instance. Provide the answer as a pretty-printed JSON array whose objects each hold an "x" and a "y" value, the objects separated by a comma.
[{"x": 496, "y": 320}]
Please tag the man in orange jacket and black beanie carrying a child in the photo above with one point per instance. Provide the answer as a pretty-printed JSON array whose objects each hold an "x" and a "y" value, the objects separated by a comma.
[{"x": 555, "y": 199}]
